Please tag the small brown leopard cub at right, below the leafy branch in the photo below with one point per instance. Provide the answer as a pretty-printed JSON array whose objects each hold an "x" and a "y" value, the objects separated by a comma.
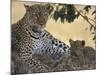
[{"x": 82, "y": 57}]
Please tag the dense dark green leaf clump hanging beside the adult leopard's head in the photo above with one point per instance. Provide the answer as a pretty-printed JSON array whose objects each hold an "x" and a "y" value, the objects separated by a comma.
[{"x": 67, "y": 12}]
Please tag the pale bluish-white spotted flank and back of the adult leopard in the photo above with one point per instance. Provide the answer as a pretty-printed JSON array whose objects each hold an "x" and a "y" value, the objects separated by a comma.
[{"x": 49, "y": 45}]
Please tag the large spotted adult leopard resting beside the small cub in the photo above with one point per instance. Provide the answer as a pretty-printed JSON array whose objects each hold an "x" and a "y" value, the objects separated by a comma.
[{"x": 29, "y": 38}]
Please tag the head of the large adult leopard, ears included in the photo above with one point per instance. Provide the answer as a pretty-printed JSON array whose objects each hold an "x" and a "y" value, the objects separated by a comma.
[{"x": 37, "y": 14}]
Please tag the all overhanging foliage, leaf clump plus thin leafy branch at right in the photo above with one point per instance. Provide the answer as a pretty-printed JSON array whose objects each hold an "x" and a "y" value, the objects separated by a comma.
[{"x": 68, "y": 12}]
